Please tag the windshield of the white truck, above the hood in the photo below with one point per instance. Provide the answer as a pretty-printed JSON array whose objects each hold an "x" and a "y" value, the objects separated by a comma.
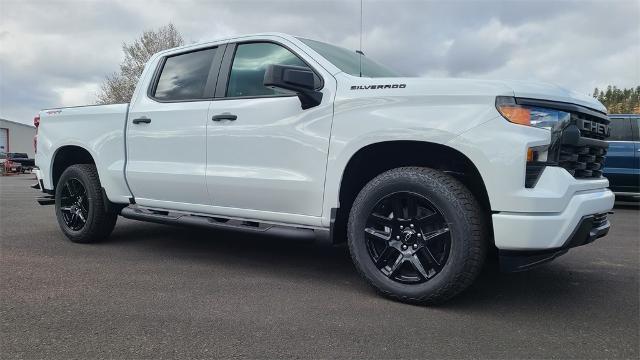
[{"x": 349, "y": 61}]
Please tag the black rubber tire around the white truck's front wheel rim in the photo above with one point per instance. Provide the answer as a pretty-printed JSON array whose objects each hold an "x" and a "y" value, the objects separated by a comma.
[{"x": 464, "y": 221}]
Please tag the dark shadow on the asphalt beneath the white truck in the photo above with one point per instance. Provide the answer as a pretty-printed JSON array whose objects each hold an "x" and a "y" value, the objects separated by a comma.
[{"x": 321, "y": 266}]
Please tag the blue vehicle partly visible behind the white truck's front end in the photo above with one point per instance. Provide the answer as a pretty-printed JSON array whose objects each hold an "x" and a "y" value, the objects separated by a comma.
[{"x": 620, "y": 163}]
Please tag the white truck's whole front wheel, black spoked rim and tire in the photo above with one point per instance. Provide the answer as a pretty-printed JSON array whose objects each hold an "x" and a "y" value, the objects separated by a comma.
[{"x": 417, "y": 235}]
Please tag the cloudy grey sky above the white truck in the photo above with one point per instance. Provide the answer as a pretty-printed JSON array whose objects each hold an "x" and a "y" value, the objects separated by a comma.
[{"x": 57, "y": 52}]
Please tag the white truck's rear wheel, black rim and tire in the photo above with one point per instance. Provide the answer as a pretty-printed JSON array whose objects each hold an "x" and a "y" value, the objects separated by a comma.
[{"x": 98, "y": 223}]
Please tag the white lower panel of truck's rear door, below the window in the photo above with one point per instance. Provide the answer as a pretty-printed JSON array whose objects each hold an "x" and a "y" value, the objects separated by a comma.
[{"x": 171, "y": 151}]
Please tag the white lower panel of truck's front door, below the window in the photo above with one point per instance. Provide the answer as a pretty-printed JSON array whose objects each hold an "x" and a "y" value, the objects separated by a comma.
[{"x": 275, "y": 160}]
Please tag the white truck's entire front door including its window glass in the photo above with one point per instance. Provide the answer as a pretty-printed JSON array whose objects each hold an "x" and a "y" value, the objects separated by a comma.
[{"x": 264, "y": 152}]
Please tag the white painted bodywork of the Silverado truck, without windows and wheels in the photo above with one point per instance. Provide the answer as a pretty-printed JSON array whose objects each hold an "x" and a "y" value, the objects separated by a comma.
[{"x": 281, "y": 164}]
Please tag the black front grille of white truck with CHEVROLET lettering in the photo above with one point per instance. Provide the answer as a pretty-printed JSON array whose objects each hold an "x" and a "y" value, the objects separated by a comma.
[{"x": 583, "y": 150}]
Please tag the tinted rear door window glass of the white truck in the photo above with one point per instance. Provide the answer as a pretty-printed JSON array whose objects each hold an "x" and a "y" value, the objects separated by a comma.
[{"x": 184, "y": 76}]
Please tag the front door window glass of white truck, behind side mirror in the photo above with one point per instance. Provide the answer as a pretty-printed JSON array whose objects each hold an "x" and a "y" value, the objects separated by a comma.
[{"x": 249, "y": 65}]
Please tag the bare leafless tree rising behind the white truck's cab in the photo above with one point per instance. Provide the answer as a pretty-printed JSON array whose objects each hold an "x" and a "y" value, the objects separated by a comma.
[{"x": 118, "y": 87}]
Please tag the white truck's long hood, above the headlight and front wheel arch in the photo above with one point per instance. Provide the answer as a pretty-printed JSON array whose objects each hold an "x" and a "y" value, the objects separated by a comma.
[{"x": 480, "y": 87}]
